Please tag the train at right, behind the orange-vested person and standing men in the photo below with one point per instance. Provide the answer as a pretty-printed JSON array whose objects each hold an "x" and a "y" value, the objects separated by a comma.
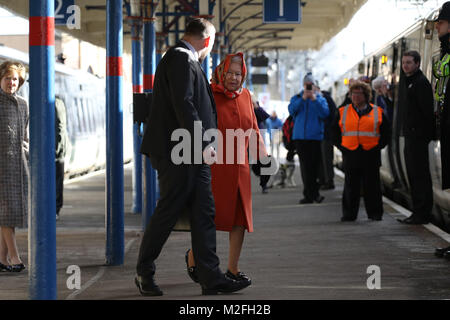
[{"x": 386, "y": 61}]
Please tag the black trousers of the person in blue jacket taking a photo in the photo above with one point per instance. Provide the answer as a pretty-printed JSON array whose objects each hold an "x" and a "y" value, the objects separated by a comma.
[{"x": 309, "y": 153}]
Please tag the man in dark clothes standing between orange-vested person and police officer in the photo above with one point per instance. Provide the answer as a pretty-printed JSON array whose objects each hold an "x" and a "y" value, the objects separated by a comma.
[{"x": 418, "y": 128}]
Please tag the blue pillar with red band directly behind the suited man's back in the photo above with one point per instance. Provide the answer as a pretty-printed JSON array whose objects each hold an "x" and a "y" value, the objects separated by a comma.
[{"x": 149, "y": 74}]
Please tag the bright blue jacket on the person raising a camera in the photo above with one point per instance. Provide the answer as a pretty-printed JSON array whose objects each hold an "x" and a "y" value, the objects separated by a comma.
[{"x": 308, "y": 117}]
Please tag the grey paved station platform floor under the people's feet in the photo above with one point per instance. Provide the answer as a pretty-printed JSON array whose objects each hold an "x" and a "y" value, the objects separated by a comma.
[{"x": 295, "y": 252}]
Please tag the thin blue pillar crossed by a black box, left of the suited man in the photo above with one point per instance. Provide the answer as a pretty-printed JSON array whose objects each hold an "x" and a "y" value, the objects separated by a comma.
[{"x": 137, "y": 138}]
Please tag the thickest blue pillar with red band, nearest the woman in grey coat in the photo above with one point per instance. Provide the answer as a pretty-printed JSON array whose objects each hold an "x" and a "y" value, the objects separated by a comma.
[{"x": 42, "y": 228}]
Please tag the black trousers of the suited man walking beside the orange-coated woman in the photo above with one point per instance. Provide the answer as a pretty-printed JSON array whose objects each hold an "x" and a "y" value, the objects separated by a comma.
[{"x": 181, "y": 187}]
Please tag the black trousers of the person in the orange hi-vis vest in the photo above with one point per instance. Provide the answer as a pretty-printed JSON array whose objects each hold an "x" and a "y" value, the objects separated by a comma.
[{"x": 369, "y": 175}]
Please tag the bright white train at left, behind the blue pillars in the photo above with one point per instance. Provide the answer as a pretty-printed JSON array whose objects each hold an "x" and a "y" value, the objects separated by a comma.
[{"x": 84, "y": 96}]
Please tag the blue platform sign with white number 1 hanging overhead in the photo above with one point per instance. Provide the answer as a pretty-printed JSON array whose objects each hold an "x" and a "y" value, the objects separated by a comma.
[{"x": 282, "y": 11}]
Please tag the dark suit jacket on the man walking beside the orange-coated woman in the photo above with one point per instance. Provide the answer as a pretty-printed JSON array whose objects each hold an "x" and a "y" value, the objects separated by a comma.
[{"x": 181, "y": 95}]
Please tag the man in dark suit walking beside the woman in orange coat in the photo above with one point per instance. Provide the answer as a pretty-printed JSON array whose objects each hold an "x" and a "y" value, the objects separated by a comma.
[{"x": 183, "y": 101}]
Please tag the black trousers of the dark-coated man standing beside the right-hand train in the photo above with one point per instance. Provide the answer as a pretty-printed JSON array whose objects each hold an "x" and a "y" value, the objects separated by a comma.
[{"x": 419, "y": 177}]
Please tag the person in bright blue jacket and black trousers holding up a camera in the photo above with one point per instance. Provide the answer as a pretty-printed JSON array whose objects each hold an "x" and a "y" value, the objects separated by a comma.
[{"x": 309, "y": 110}]
